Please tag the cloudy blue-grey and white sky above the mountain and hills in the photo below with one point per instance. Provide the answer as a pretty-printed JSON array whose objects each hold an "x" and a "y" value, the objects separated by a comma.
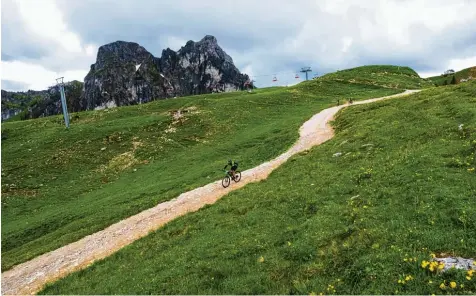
[{"x": 45, "y": 39}]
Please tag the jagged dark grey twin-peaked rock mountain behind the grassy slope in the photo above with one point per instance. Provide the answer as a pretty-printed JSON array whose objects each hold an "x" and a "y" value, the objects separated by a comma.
[{"x": 125, "y": 73}]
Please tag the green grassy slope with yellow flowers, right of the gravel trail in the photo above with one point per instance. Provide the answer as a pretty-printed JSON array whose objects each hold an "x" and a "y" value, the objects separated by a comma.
[{"x": 362, "y": 223}]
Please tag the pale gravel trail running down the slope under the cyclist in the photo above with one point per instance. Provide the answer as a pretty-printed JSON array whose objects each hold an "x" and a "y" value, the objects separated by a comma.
[{"x": 29, "y": 277}]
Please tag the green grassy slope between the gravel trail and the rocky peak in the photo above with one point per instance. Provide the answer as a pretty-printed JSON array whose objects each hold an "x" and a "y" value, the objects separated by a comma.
[{"x": 60, "y": 185}]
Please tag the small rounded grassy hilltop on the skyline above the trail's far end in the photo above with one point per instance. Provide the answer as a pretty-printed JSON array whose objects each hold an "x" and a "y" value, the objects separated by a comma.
[{"x": 382, "y": 75}]
